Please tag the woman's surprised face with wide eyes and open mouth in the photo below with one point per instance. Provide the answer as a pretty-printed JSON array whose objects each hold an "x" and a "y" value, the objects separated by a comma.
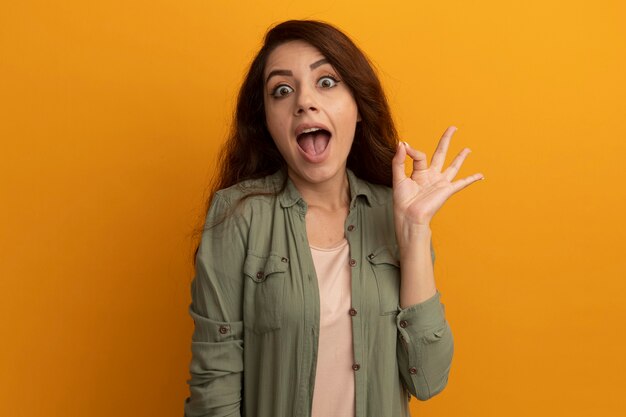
[{"x": 310, "y": 113}]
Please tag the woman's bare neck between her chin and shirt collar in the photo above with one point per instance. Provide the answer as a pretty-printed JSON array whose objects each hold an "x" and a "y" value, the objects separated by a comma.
[{"x": 331, "y": 195}]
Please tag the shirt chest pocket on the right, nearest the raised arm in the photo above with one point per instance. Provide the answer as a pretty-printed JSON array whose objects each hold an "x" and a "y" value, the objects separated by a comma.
[{"x": 386, "y": 268}]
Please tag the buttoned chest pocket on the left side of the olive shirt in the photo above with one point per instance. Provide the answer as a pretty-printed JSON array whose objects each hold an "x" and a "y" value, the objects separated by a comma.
[{"x": 263, "y": 292}]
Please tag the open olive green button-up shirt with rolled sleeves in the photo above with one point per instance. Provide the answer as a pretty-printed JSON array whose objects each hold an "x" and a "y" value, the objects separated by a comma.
[{"x": 255, "y": 305}]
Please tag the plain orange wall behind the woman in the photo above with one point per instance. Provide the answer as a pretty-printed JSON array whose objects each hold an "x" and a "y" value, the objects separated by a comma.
[{"x": 111, "y": 114}]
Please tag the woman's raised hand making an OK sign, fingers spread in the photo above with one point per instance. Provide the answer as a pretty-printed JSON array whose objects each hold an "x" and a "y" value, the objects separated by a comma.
[{"x": 418, "y": 197}]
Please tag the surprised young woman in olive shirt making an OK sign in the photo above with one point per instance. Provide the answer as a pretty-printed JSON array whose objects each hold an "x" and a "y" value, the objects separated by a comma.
[{"x": 314, "y": 292}]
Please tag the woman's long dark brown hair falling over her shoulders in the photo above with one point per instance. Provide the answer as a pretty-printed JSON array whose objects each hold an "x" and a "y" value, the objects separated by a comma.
[{"x": 250, "y": 152}]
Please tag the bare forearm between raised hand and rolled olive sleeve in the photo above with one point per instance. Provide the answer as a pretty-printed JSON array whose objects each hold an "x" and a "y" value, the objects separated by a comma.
[{"x": 417, "y": 275}]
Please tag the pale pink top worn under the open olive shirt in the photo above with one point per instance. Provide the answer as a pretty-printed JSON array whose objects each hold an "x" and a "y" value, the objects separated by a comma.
[{"x": 333, "y": 395}]
